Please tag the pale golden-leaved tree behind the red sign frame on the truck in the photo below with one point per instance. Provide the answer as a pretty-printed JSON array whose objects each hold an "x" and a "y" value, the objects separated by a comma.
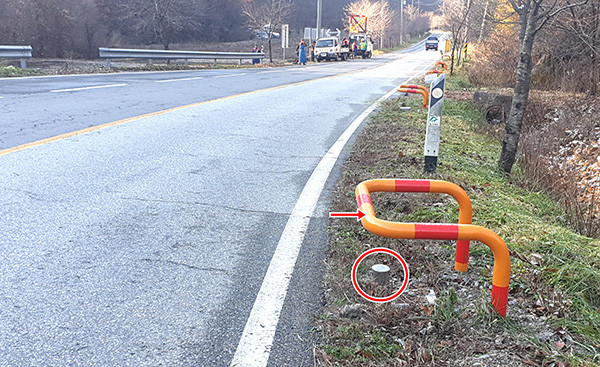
[{"x": 378, "y": 13}]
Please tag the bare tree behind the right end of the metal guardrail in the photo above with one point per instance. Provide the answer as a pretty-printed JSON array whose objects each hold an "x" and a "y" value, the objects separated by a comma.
[{"x": 268, "y": 15}]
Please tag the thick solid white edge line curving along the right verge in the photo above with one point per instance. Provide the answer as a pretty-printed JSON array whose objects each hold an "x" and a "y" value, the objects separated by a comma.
[{"x": 255, "y": 344}]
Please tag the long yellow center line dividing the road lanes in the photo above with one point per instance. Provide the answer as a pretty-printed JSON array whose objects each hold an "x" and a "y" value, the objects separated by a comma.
[{"x": 119, "y": 122}]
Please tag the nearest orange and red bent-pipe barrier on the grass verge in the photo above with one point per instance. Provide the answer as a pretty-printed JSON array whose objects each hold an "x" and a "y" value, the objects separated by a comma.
[{"x": 433, "y": 231}]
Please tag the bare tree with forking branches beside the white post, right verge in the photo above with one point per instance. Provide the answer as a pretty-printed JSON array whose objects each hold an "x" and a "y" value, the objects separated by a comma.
[{"x": 533, "y": 16}]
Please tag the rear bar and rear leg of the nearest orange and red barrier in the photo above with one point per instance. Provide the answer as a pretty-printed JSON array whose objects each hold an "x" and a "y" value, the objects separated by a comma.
[{"x": 465, "y": 208}]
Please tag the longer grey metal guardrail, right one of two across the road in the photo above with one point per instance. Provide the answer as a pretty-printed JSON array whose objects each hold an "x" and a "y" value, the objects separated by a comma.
[{"x": 120, "y": 53}]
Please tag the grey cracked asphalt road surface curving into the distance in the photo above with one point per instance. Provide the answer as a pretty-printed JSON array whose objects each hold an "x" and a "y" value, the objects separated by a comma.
[{"x": 145, "y": 243}]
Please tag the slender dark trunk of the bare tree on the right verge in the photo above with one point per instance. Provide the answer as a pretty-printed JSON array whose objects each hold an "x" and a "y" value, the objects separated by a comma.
[{"x": 514, "y": 123}]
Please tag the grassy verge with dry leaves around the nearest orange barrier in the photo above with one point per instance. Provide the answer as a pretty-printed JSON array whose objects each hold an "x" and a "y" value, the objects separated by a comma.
[{"x": 554, "y": 308}]
